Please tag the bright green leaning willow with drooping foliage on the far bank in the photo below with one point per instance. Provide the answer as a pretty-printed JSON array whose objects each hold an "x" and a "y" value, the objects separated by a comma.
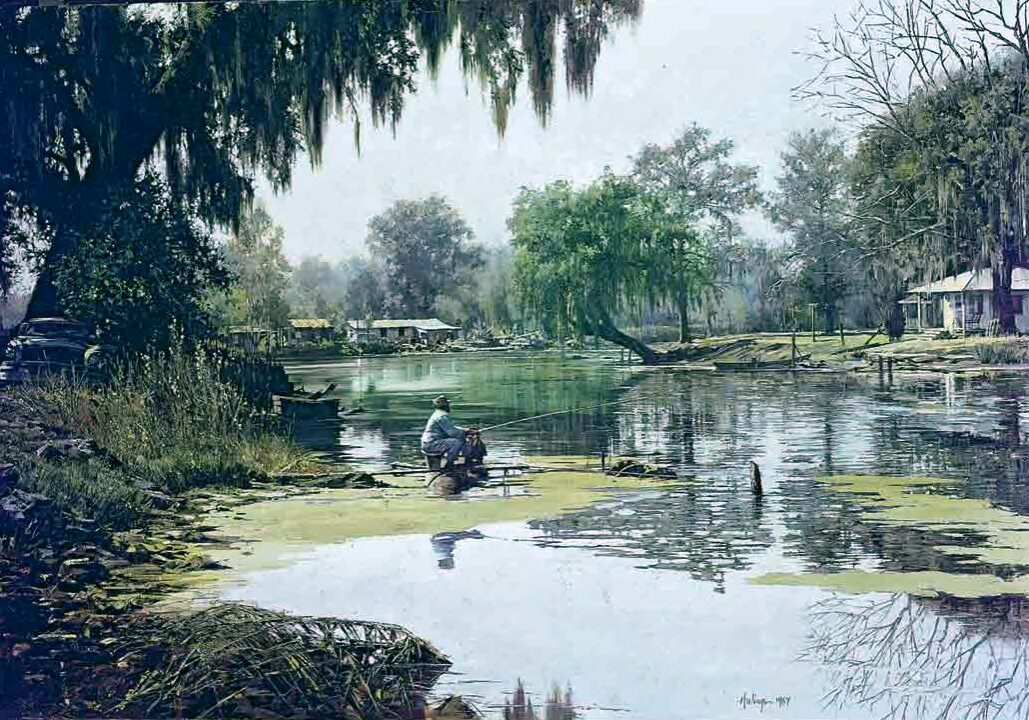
[{"x": 583, "y": 258}]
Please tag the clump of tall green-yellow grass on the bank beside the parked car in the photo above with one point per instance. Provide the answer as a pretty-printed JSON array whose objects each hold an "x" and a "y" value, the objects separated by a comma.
[{"x": 172, "y": 422}]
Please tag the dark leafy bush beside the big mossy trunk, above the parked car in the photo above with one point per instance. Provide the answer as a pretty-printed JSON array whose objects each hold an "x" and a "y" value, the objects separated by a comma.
[{"x": 143, "y": 271}]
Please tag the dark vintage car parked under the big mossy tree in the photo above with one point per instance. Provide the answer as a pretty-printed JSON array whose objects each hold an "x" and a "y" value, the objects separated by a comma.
[{"x": 45, "y": 347}]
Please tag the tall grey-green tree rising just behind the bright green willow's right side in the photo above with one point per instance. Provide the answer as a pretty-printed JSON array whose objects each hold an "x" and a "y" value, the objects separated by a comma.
[{"x": 694, "y": 177}]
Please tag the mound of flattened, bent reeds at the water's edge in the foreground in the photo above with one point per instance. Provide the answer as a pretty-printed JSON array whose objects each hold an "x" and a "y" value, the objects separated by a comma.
[{"x": 236, "y": 661}]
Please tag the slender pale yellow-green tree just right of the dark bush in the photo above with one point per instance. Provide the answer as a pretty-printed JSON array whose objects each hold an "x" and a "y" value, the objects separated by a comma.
[{"x": 261, "y": 274}]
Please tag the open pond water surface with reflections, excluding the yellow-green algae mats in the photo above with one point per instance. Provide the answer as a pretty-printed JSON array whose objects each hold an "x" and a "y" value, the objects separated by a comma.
[{"x": 644, "y": 605}]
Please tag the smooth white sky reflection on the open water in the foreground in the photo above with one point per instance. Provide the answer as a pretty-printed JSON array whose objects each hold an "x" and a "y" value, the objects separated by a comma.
[{"x": 650, "y": 643}]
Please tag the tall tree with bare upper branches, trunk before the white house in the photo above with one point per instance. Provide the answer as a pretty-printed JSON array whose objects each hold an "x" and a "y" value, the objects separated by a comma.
[{"x": 892, "y": 56}]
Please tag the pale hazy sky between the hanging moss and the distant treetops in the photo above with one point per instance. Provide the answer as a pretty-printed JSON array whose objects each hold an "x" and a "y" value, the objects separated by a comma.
[{"x": 727, "y": 64}]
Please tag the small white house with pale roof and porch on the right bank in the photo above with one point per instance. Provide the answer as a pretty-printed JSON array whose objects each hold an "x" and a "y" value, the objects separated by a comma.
[{"x": 964, "y": 303}]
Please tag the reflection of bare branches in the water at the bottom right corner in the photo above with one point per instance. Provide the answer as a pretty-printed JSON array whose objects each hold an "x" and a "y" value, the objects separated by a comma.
[{"x": 909, "y": 658}]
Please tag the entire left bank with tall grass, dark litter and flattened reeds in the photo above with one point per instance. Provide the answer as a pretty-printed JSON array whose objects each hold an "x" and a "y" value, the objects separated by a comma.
[{"x": 98, "y": 516}]
